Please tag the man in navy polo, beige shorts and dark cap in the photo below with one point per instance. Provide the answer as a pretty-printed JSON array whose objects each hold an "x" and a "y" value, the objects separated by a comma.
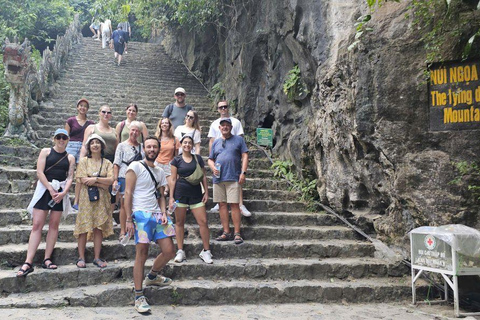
[{"x": 228, "y": 161}]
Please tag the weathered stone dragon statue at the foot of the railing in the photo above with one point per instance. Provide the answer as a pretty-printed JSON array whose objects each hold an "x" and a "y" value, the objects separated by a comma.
[{"x": 21, "y": 74}]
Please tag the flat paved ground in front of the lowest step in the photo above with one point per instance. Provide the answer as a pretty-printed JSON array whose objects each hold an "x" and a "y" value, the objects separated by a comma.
[{"x": 250, "y": 312}]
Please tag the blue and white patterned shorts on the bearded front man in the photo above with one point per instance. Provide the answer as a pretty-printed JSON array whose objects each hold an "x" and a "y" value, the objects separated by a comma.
[{"x": 147, "y": 229}]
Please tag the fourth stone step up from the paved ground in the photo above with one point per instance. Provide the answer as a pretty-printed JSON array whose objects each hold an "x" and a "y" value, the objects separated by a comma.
[{"x": 21, "y": 233}]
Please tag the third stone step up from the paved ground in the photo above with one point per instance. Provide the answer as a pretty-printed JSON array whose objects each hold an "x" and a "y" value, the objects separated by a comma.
[{"x": 66, "y": 252}]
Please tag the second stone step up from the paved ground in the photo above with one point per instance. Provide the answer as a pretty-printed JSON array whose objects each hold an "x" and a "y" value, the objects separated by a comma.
[{"x": 69, "y": 276}]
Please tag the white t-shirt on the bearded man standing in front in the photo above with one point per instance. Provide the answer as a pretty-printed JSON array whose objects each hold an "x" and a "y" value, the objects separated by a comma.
[{"x": 143, "y": 198}]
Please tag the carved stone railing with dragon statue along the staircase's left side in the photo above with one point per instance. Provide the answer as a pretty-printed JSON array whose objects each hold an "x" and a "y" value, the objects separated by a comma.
[{"x": 30, "y": 86}]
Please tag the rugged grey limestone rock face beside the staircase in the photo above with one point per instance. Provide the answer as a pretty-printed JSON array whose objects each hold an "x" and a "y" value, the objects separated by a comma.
[{"x": 363, "y": 127}]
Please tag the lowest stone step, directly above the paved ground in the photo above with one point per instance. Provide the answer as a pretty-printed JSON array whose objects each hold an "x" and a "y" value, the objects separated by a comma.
[{"x": 216, "y": 292}]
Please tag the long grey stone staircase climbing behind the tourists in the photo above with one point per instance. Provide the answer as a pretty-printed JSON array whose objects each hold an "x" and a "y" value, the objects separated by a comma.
[{"x": 289, "y": 255}]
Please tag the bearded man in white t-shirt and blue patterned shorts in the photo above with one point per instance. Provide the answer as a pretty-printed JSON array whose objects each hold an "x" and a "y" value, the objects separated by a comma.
[{"x": 147, "y": 219}]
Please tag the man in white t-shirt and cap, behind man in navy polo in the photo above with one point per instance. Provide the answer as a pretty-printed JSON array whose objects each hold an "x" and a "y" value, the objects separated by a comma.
[{"x": 214, "y": 133}]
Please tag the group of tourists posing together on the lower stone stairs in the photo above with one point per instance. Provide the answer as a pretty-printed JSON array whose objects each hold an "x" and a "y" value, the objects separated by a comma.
[{"x": 144, "y": 170}]
